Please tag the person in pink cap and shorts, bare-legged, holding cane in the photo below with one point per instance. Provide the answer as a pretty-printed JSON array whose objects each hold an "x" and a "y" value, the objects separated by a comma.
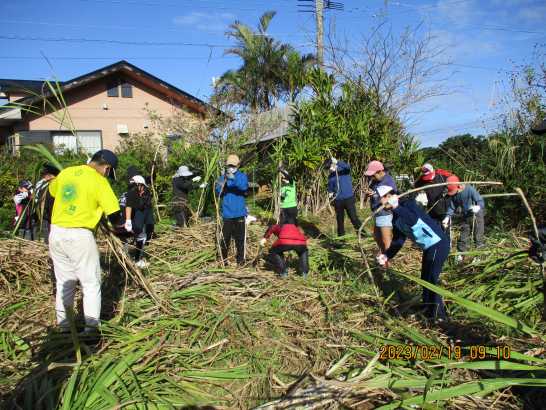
[{"x": 382, "y": 219}]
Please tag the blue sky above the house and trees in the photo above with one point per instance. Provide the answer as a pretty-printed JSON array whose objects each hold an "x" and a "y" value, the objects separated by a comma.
[{"x": 484, "y": 39}]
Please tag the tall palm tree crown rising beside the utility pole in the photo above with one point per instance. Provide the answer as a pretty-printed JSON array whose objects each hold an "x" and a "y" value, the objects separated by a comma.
[{"x": 271, "y": 70}]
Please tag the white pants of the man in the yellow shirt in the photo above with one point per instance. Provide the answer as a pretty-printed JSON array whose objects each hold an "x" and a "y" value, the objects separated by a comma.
[{"x": 76, "y": 258}]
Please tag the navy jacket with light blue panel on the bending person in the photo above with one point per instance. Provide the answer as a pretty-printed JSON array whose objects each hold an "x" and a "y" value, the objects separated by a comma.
[{"x": 410, "y": 221}]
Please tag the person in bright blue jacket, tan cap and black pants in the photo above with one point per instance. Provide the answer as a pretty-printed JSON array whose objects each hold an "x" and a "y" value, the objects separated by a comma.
[{"x": 232, "y": 187}]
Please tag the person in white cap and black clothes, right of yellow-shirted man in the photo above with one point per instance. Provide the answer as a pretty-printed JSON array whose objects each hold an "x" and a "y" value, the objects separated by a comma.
[{"x": 139, "y": 216}]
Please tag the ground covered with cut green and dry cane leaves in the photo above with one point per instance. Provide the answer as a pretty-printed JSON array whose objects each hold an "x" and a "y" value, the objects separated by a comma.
[{"x": 227, "y": 337}]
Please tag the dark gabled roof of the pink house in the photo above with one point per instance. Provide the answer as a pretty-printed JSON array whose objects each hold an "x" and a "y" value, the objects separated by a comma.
[{"x": 119, "y": 67}]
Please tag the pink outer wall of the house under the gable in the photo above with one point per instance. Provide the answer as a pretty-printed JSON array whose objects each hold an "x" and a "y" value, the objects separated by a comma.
[{"x": 86, "y": 106}]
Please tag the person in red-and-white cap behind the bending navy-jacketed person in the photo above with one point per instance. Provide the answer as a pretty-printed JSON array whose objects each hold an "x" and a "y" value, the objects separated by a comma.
[{"x": 435, "y": 199}]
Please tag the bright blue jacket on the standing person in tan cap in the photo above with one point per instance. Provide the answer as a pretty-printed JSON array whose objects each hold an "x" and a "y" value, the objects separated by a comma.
[{"x": 233, "y": 194}]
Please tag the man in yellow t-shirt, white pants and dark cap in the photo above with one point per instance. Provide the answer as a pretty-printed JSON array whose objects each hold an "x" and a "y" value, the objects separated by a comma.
[{"x": 82, "y": 195}]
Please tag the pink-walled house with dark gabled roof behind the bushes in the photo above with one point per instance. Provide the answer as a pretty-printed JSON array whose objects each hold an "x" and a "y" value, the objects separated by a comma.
[{"x": 101, "y": 107}]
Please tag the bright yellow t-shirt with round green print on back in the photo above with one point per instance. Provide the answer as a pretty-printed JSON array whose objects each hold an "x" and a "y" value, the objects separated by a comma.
[{"x": 81, "y": 195}]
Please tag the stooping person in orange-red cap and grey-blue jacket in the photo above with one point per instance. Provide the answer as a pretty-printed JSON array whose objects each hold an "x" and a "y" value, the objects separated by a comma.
[{"x": 466, "y": 198}]
